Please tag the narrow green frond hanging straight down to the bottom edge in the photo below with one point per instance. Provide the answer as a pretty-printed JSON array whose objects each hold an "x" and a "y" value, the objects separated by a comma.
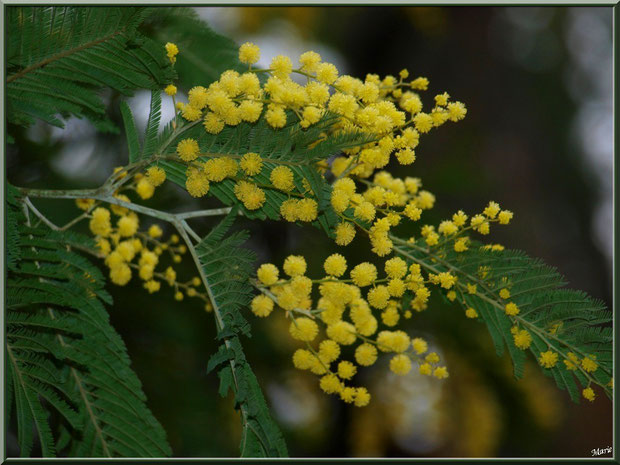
[{"x": 226, "y": 268}]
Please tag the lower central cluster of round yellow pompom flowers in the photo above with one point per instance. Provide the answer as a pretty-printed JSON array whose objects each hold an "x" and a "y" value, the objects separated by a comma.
[{"x": 333, "y": 312}]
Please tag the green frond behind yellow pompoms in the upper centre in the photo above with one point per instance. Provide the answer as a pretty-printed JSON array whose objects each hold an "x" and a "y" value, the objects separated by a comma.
[{"x": 291, "y": 146}]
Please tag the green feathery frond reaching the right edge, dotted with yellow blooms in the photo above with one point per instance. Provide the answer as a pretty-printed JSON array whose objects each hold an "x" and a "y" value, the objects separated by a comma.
[{"x": 560, "y": 320}]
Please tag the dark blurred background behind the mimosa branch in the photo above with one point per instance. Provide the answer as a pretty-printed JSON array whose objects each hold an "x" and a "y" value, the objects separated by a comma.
[{"x": 537, "y": 138}]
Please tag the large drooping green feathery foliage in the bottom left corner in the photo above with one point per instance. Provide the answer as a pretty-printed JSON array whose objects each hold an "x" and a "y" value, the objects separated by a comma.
[{"x": 64, "y": 356}]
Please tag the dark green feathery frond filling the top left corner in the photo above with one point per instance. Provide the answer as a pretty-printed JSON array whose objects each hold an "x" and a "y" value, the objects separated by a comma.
[{"x": 58, "y": 58}]
